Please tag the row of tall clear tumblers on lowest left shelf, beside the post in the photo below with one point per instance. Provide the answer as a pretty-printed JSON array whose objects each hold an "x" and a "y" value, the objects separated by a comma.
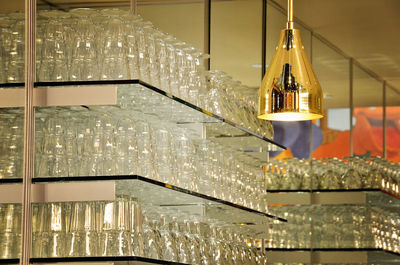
[{"x": 83, "y": 229}]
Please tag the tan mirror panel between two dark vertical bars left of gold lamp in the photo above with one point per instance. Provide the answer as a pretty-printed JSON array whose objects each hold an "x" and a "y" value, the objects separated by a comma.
[{"x": 236, "y": 27}]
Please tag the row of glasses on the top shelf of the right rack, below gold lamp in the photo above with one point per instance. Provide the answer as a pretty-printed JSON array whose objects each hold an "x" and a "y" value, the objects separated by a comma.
[{"x": 334, "y": 173}]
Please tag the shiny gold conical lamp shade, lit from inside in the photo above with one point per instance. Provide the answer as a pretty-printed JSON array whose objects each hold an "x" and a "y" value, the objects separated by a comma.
[{"x": 290, "y": 91}]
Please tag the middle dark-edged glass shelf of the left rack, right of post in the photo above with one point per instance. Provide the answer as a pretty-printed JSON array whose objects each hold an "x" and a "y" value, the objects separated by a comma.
[{"x": 250, "y": 221}]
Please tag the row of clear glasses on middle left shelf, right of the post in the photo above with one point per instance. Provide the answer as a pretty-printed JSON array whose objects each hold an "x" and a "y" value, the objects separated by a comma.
[{"x": 80, "y": 142}]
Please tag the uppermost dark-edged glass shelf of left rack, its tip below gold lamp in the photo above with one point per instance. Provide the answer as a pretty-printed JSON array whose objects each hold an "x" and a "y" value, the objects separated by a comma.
[{"x": 160, "y": 104}]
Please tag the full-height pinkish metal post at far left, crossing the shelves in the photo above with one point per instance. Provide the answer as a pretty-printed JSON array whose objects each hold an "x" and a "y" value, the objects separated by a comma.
[{"x": 30, "y": 69}]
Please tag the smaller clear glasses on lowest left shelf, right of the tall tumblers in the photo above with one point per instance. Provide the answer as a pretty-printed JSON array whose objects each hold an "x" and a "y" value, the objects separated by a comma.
[{"x": 196, "y": 240}]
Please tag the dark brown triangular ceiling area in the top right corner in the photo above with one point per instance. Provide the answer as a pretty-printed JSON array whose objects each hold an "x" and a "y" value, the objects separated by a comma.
[{"x": 367, "y": 30}]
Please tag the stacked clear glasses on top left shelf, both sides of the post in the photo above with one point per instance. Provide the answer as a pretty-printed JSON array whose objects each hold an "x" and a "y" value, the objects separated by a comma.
[{"x": 112, "y": 44}]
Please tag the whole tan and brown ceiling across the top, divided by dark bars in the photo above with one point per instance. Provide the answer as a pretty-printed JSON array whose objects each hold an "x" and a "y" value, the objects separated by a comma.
[{"x": 366, "y": 30}]
